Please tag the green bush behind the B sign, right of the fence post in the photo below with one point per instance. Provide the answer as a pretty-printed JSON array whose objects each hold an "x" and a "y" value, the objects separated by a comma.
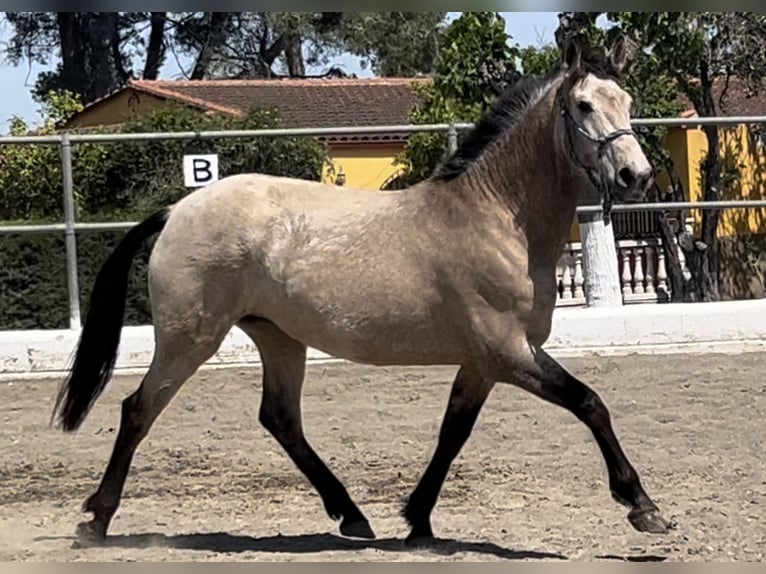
[{"x": 137, "y": 177}]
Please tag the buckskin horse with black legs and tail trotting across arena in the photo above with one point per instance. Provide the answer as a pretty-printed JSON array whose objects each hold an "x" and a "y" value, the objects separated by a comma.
[{"x": 458, "y": 269}]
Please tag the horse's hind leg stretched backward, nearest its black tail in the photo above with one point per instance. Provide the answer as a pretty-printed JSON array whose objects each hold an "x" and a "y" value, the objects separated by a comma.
[{"x": 176, "y": 359}]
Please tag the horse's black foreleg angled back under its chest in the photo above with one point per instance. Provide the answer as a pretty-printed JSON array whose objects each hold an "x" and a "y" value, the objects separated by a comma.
[{"x": 469, "y": 392}]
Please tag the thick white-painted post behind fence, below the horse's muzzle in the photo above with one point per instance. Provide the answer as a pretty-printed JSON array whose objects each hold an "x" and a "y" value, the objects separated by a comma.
[{"x": 599, "y": 252}]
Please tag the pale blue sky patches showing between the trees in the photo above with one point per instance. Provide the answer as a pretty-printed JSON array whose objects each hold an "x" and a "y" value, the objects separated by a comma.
[{"x": 526, "y": 28}]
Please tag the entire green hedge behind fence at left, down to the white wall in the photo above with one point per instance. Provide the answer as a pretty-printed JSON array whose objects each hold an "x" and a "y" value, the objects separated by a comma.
[{"x": 115, "y": 181}]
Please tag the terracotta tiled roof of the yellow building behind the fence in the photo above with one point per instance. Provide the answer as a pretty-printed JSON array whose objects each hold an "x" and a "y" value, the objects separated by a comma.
[{"x": 303, "y": 102}]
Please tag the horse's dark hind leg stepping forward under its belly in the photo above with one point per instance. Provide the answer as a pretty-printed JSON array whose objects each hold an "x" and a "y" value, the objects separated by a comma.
[{"x": 284, "y": 367}]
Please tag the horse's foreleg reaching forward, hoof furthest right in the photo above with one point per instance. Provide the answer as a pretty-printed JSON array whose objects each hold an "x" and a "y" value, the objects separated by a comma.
[{"x": 550, "y": 381}]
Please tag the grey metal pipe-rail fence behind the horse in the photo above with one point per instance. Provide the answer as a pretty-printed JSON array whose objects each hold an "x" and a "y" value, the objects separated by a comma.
[{"x": 70, "y": 227}]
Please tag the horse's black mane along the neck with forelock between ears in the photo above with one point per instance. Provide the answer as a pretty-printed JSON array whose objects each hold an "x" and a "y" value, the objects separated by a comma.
[{"x": 509, "y": 108}]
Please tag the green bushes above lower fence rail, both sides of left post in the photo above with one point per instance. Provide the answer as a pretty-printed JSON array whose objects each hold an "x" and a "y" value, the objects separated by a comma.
[{"x": 128, "y": 179}]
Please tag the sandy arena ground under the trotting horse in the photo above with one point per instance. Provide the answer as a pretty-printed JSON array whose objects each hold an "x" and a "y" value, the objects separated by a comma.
[{"x": 210, "y": 484}]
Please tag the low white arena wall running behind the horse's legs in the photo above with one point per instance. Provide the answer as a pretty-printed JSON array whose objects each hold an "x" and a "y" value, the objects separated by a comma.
[{"x": 652, "y": 328}]
